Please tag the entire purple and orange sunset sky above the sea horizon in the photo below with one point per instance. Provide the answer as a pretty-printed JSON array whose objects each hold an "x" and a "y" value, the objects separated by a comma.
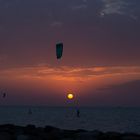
[{"x": 101, "y": 59}]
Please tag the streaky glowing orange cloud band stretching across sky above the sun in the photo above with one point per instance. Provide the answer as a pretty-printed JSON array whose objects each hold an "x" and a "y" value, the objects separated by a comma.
[{"x": 68, "y": 73}]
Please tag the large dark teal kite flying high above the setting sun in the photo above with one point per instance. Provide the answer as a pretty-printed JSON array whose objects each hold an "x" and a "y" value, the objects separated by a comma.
[{"x": 59, "y": 50}]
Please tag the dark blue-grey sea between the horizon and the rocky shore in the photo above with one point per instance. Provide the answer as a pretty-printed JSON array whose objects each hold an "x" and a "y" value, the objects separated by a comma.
[{"x": 120, "y": 119}]
